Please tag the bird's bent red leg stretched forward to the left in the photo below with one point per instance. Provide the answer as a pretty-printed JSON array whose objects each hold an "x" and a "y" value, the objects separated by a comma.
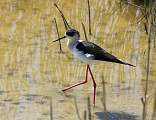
[{"x": 83, "y": 82}]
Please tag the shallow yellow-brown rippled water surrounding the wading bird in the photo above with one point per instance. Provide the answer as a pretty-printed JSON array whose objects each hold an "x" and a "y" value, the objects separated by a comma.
[{"x": 32, "y": 75}]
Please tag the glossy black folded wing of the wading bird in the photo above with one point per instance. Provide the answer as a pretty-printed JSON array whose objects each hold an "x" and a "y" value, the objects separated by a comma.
[{"x": 98, "y": 52}]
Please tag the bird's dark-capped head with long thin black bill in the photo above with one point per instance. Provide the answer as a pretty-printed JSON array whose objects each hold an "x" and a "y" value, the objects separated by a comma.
[{"x": 71, "y": 34}]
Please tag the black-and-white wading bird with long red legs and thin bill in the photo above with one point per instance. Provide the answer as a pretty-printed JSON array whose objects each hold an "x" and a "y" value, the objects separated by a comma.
[{"x": 87, "y": 52}]
